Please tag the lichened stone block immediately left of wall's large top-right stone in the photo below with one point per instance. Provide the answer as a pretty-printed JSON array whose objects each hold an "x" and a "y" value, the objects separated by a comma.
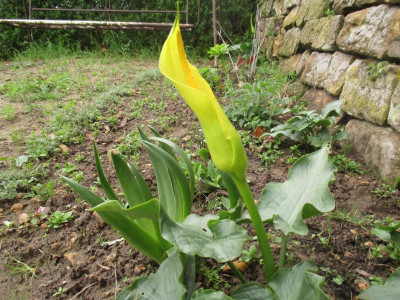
[{"x": 320, "y": 34}]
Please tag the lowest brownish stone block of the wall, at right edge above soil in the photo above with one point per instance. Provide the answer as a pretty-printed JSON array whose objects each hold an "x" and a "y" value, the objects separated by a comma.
[{"x": 380, "y": 146}]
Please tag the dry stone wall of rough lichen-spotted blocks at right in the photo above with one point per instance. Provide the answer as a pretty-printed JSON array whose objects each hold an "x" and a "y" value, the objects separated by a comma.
[{"x": 347, "y": 50}]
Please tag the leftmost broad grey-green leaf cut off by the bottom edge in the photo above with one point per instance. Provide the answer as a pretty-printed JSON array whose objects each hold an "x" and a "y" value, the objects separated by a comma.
[{"x": 166, "y": 283}]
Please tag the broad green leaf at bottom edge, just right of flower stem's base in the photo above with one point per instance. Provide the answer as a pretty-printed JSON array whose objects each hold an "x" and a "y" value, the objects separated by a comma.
[{"x": 298, "y": 283}]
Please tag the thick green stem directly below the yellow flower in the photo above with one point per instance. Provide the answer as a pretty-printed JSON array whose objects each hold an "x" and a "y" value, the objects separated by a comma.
[{"x": 266, "y": 253}]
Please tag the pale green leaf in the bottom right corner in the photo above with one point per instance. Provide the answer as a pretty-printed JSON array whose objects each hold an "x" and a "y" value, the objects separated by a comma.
[{"x": 389, "y": 291}]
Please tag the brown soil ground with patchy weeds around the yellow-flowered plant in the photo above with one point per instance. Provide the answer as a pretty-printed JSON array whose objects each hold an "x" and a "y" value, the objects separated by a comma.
[{"x": 103, "y": 101}]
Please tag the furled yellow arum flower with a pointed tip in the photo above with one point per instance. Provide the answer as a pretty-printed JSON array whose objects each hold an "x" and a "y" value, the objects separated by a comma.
[{"x": 223, "y": 141}]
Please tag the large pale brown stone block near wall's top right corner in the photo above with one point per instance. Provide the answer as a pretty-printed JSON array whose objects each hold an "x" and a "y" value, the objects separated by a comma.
[{"x": 373, "y": 32}]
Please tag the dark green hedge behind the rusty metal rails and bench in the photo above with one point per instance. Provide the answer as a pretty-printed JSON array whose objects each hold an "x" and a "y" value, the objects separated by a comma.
[{"x": 234, "y": 15}]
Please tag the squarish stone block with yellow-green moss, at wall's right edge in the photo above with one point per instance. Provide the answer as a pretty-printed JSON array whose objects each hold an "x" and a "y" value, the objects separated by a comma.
[{"x": 368, "y": 89}]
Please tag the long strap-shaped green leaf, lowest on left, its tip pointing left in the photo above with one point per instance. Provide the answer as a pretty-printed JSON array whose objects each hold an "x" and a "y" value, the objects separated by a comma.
[{"x": 134, "y": 234}]
